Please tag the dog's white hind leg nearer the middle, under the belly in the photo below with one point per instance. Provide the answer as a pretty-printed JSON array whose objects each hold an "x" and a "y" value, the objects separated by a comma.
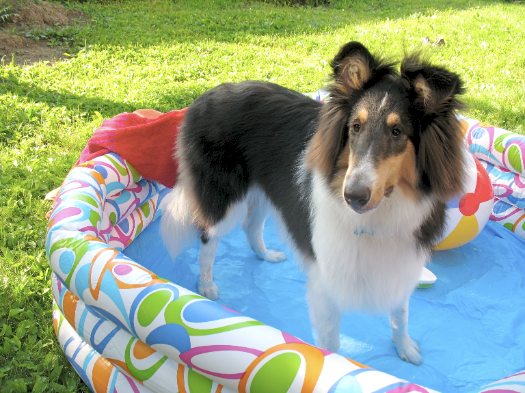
[{"x": 253, "y": 226}]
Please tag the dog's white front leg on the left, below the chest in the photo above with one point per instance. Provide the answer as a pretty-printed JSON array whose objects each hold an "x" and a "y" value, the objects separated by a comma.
[{"x": 325, "y": 315}]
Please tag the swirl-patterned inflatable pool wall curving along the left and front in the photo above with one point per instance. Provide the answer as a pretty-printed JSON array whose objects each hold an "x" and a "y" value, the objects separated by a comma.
[{"x": 126, "y": 330}]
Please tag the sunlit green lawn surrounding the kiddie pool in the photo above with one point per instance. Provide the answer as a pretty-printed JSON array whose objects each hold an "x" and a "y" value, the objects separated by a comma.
[{"x": 163, "y": 54}]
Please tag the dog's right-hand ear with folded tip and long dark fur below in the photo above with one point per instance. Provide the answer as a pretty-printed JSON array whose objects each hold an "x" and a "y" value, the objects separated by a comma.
[{"x": 433, "y": 92}]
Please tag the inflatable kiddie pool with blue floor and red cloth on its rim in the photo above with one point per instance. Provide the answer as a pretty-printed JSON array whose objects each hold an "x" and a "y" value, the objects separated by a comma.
[{"x": 128, "y": 319}]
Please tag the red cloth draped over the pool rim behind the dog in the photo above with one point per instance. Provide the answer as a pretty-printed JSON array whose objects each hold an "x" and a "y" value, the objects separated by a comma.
[{"x": 145, "y": 138}]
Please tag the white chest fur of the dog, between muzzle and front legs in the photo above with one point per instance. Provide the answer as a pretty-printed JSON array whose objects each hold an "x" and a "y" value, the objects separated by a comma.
[{"x": 367, "y": 261}]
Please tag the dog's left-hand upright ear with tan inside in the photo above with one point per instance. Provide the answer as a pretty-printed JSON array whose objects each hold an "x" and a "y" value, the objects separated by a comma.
[{"x": 353, "y": 66}]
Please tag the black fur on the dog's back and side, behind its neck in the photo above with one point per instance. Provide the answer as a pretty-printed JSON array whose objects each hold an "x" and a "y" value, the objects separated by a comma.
[{"x": 251, "y": 133}]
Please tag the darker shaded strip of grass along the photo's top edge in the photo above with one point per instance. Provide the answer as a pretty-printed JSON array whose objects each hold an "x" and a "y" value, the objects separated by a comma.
[{"x": 222, "y": 21}]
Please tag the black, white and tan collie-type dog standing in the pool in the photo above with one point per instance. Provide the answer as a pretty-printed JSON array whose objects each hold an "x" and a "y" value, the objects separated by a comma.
[{"x": 359, "y": 183}]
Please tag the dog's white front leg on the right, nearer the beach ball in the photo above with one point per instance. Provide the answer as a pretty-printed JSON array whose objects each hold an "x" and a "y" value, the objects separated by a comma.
[{"x": 407, "y": 348}]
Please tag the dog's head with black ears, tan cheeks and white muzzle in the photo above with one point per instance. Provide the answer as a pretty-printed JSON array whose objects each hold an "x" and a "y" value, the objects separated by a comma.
[{"x": 381, "y": 129}]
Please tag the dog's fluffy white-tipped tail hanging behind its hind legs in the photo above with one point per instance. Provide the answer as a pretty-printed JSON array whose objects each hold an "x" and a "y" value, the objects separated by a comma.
[{"x": 177, "y": 227}]
